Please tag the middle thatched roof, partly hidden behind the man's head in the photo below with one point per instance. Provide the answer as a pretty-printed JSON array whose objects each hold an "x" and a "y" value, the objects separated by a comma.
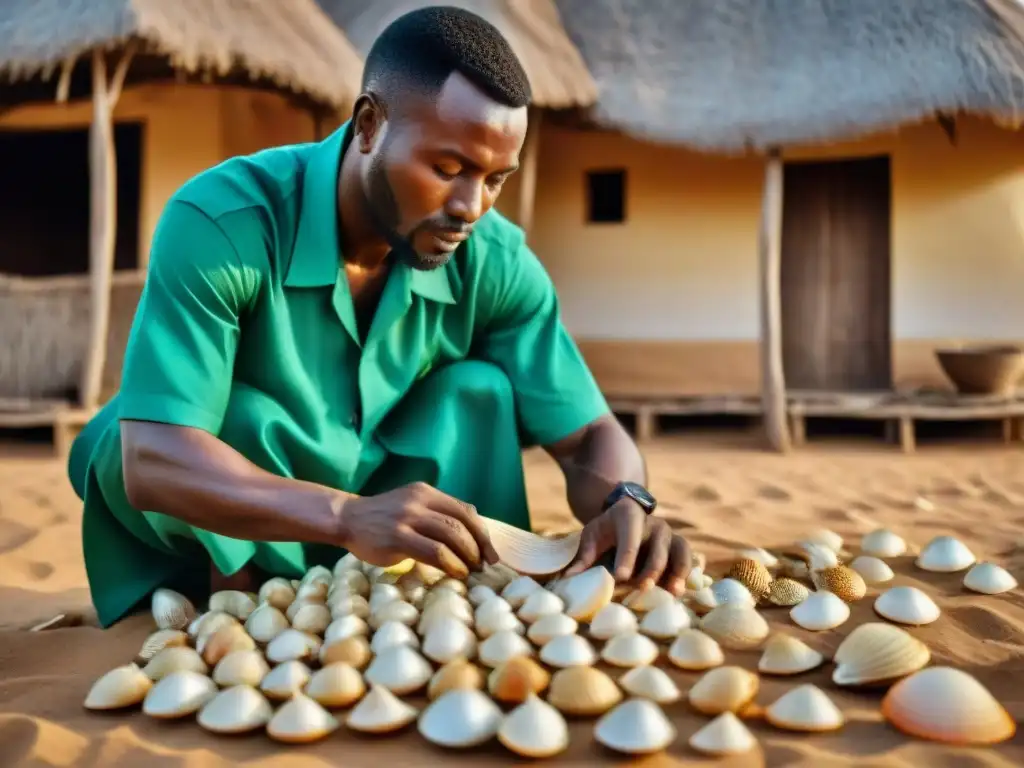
[{"x": 558, "y": 74}]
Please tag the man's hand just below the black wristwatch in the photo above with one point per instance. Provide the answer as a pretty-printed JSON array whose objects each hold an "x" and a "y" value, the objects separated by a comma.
[{"x": 626, "y": 527}]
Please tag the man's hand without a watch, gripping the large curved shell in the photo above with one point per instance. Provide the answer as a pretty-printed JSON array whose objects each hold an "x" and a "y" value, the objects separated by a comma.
[{"x": 416, "y": 522}]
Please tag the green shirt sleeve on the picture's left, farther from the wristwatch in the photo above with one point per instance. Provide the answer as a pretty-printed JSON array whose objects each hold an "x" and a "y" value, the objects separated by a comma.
[{"x": 181, "y": 353}]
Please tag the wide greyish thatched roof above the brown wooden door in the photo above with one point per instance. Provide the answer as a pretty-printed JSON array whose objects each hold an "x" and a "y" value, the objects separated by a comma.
[{"x": 723, "y": 75}]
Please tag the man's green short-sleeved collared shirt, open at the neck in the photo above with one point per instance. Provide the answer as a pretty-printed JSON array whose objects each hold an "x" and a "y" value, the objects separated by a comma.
[{"x": 246, "y": 326}]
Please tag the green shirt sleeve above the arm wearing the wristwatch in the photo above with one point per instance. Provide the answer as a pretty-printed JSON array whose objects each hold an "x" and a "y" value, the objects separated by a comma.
[{"x": 556, "y": 392}]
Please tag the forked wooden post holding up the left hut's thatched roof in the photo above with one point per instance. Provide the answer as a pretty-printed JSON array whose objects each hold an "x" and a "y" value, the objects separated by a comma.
[{"x": 103, "y": 221}]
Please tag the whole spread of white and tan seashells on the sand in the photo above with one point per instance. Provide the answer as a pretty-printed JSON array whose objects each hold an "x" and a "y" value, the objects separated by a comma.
[{"x": 504, "y": 657}]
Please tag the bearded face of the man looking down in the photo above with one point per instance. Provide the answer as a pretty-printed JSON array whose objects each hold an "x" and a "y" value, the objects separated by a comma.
[{"x": 437, "y": 166}]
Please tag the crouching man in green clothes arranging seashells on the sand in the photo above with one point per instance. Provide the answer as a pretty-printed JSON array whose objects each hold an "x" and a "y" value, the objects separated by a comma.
[{"x": 340, "y": 347}]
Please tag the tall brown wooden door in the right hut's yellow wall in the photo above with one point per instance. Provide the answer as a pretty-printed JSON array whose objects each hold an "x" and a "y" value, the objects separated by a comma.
[{"x": 837, "y": 276}]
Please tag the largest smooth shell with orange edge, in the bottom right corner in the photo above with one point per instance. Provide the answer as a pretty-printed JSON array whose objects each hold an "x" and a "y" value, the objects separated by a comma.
[{"x": 943, "y": 704}]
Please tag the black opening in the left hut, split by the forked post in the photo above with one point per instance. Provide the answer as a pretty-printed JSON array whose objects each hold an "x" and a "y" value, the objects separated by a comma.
[{"x": 45, "y": 200}]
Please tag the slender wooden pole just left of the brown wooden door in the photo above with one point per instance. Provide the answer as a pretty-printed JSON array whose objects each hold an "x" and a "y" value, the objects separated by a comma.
[{"x": 771, "y": 253}]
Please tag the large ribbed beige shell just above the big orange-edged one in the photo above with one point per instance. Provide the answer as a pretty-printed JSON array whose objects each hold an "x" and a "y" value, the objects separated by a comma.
[{"x": 878, "y": 654}]
